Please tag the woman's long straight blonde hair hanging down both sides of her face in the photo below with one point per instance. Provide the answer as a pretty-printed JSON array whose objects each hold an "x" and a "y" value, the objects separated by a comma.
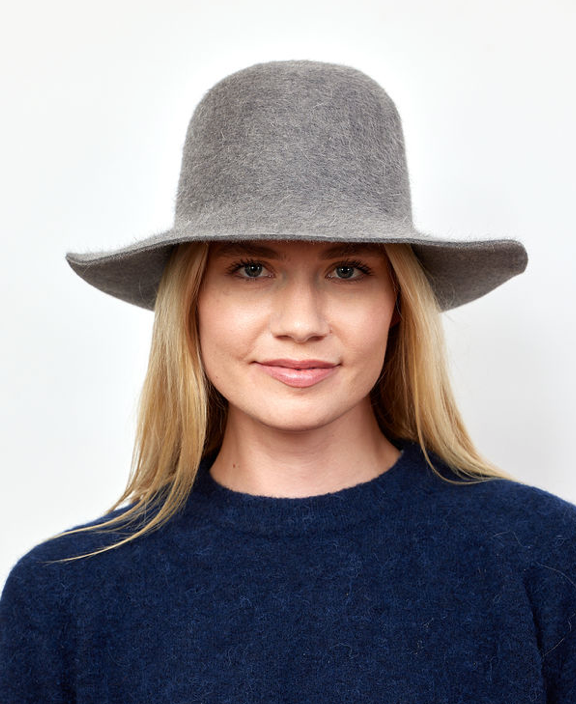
[{"x": 181, "y": 417}]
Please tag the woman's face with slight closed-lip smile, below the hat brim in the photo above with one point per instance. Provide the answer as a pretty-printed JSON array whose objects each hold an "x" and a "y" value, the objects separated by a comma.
[{"x": 293, "y": 334}]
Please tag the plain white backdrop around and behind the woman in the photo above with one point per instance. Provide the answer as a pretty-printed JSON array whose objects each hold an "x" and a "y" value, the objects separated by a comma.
[{"x": 96, "y": 98}]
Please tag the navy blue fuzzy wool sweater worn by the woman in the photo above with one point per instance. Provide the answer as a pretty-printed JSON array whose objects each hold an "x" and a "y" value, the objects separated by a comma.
[{"x": 401, "y": 590}]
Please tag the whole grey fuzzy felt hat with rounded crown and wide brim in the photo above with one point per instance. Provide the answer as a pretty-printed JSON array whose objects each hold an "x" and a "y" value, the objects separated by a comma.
[{"x": 299, "y": 150}]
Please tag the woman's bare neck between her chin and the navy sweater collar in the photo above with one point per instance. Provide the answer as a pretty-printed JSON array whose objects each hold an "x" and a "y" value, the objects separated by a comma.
[{"x": 257, "y": 459}]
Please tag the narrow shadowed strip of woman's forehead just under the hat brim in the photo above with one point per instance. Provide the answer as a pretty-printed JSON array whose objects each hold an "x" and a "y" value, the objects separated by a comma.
[{"x": 282, "y": 250}]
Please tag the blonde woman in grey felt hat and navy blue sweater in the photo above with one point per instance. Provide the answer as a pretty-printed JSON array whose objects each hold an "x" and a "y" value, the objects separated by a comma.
[{"x": 308, "y": 519}]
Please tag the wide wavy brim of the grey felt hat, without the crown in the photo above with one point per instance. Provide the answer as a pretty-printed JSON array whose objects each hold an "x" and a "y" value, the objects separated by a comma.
[{"x": 459, "y": 271}]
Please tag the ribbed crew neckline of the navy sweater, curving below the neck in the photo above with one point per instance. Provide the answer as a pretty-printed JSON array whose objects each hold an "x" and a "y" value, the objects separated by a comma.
[{"x": 263, "y": 515}]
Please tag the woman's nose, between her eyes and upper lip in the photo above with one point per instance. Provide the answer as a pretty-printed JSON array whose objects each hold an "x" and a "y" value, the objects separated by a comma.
[{"x": 298, "y": 312}]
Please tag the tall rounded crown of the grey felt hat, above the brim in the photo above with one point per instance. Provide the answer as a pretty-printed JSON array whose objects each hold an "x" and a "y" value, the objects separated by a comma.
[{"x": 297, "y": 141}]
